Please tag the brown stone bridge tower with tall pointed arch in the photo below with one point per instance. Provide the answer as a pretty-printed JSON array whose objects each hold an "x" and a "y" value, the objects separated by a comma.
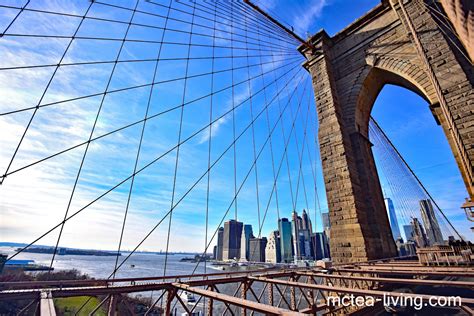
[{"x": 401, "y": 42}]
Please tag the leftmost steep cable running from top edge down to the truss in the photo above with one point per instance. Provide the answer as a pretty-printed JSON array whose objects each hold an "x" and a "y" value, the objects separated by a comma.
[{"x": 76, "y": 181}]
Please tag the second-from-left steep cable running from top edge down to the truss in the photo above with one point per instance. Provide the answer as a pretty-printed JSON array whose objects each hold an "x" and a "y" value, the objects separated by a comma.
[{"x": 141, "y": 139}]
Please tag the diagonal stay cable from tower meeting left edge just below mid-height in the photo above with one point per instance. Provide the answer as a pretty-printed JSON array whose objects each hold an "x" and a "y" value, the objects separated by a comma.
[{"x": 133, "y": 124}]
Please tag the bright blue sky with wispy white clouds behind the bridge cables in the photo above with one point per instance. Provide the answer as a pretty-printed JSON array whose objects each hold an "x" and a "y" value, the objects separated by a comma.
[{"x": 35, "y": 199}]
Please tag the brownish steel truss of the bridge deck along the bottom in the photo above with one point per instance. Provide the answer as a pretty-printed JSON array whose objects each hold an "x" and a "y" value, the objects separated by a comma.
[{"x": 271, "y": 292}]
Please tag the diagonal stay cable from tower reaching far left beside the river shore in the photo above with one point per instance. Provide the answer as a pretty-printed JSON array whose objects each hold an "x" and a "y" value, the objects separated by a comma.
[{"x": 140, "y": 171}]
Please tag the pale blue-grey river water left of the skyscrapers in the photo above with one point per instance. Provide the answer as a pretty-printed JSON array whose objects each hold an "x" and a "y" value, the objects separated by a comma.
[{"x": 145, "y": 264}]
